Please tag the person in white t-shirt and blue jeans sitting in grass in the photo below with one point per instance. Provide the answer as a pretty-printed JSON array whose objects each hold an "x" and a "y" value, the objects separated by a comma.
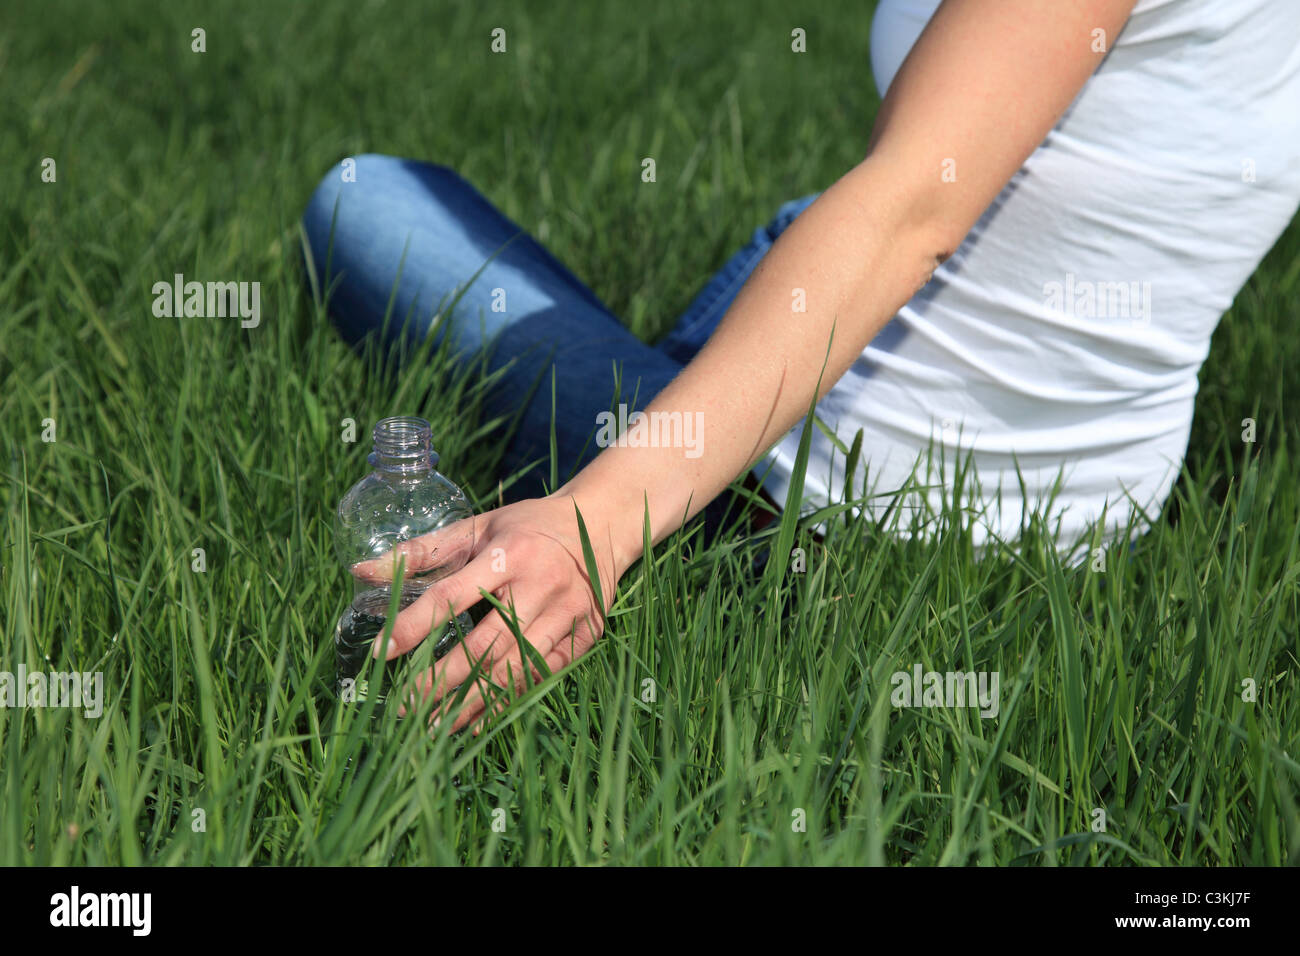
[{"x": 1058, "y": 205}]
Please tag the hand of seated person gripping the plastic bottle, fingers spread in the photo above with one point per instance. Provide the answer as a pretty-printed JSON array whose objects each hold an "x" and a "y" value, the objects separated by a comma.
[{"x": 530, "y": 557}]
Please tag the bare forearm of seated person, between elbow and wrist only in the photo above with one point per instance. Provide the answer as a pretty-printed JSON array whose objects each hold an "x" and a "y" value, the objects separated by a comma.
[{"x": 852, "y": 259}]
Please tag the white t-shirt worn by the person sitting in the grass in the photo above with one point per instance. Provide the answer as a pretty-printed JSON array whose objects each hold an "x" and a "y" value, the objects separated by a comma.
[{"x": 1068, "y": 330}]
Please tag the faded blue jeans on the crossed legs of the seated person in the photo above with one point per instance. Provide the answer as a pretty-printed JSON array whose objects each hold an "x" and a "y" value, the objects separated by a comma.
[{"x": 418, "y": 235}]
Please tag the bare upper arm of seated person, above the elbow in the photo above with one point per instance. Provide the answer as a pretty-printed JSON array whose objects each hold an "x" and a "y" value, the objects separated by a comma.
[{"x": 981, "y": 89}]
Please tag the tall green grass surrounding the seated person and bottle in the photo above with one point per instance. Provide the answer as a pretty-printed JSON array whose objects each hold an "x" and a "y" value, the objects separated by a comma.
[{"x": 1121, "y": 691}]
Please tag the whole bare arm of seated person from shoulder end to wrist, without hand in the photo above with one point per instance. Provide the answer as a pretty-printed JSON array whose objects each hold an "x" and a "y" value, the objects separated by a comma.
[{"x": 859, "y": 253}]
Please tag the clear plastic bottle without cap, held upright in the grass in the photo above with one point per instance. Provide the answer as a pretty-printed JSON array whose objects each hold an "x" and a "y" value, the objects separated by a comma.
[{"x": 405, "y": 498}]
